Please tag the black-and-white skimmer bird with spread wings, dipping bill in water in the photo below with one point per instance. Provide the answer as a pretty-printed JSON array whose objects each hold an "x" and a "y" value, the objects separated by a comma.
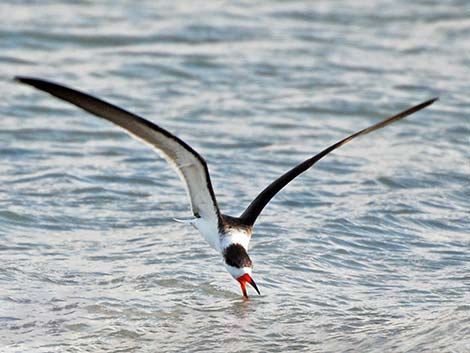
[{"x": 228, "y": 235}]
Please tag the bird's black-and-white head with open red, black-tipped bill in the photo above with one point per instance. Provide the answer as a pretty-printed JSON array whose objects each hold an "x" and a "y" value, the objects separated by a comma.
[{"x": 240, "y": 266}]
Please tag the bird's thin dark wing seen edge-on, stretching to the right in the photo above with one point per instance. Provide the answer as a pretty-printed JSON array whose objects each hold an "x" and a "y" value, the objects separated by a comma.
[{"x": 257, "y": 205}]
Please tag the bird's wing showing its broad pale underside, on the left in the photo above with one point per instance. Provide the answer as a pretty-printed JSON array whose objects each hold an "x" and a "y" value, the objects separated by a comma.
[{"x": 191, "y": 167}]
